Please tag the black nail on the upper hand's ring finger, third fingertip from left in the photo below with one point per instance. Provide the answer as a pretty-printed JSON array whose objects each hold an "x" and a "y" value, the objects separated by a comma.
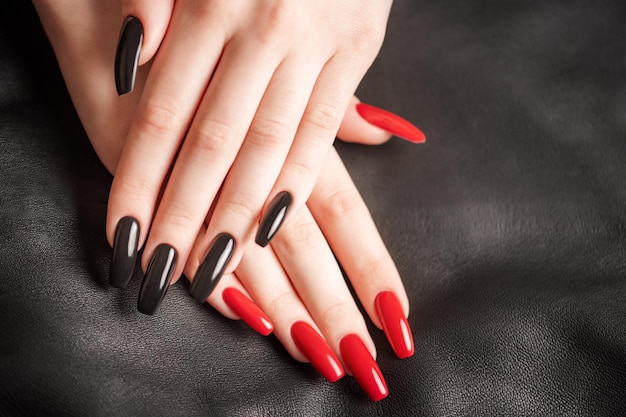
[{"x": 213, "y": 266}]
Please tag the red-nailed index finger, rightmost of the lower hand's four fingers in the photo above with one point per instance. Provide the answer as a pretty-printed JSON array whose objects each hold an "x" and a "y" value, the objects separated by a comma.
[{"x": 364, "y": 256}]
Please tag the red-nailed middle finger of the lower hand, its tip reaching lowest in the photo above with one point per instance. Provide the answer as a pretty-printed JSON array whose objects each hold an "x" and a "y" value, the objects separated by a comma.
[{"x": 307, "y": 259}]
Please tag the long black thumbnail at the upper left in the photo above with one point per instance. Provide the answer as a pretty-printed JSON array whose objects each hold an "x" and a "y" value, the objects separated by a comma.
[{"x": 127, "y": 55}]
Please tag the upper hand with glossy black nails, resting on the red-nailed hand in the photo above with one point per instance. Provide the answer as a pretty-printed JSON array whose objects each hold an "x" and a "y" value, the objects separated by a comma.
[{"x": 240, "y": 108}]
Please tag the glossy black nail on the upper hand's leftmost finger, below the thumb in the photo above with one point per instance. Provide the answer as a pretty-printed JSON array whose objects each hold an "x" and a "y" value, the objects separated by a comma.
[{"x": 124, "y": 252}]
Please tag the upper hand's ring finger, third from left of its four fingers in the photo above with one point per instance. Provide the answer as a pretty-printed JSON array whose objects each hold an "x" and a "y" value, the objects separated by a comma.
[{"x": 255, "y": 169}]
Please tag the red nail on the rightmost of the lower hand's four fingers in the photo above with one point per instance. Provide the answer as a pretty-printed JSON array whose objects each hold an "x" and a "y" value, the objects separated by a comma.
[{"x": 395, "y": 324}]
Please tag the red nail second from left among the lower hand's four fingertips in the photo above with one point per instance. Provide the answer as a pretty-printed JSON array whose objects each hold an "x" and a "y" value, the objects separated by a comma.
[{"x": 317, "y": 351}]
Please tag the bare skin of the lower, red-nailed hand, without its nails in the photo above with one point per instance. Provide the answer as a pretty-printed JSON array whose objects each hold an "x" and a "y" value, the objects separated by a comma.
[{"x": 297, "y": 277}]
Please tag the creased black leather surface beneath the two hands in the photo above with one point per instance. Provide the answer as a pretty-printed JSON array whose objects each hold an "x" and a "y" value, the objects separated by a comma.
[{"x": 508, "y": 227}]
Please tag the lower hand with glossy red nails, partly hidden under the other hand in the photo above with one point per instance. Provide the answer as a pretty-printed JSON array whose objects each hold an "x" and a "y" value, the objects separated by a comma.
[{"x": 298, "y": 282}]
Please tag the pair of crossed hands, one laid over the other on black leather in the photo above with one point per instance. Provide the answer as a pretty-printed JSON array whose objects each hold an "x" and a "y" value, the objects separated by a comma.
[{"x": 210, "y": 114}]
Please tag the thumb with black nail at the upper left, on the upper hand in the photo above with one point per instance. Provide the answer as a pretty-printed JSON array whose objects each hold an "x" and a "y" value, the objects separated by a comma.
[{"x": 144, "y": 25}]
